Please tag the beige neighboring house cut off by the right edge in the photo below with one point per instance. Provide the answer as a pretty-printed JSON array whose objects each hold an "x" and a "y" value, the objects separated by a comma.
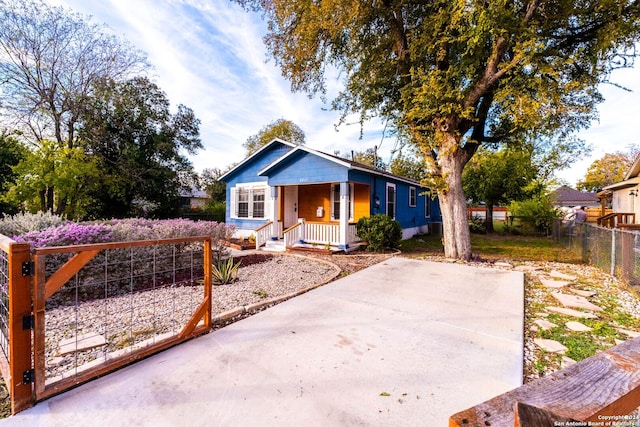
[{"x": 624, "y": 194}]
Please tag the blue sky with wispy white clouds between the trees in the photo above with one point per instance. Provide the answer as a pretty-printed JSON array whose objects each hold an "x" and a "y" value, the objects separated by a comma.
[{"x": 209, "y": 56}]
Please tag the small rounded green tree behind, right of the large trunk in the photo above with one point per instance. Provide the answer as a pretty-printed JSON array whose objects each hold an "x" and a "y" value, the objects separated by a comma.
[{"x": 499, "y": 177}]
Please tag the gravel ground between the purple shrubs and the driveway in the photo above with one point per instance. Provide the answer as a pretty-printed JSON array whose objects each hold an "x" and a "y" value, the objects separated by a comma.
[{"x": 123, "y": 321}]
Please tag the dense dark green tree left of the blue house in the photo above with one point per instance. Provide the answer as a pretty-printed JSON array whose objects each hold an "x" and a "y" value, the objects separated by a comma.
[{"x": 130, "y": 130}]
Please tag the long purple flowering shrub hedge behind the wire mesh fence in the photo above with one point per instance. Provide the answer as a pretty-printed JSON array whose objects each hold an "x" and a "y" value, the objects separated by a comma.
[{"x": 132, "y": 269}]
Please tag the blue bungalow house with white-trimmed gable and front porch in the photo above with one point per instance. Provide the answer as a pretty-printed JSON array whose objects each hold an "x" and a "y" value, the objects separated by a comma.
[{"x": 286, "y": 194}]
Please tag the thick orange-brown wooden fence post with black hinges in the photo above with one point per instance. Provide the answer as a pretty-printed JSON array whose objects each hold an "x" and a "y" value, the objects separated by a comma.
[{"x": 20, "y": 387}]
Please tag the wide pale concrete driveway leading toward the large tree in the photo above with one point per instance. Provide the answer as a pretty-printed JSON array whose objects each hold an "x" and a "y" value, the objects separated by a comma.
[{"x": 402, "y": 343}]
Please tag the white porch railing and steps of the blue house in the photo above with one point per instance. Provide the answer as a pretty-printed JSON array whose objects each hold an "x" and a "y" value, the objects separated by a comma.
[{"x": 306, "y": 234}]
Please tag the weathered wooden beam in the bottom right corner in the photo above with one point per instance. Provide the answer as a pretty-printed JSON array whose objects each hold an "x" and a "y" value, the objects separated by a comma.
[{"x": 607, "y": 384}]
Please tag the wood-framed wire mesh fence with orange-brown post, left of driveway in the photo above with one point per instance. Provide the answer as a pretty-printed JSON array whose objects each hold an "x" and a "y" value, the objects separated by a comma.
[{"x": 99, "y": 307}]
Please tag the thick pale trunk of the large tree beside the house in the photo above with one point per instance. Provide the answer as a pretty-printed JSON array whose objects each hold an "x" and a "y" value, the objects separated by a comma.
[{"x": 453, "y": 205}]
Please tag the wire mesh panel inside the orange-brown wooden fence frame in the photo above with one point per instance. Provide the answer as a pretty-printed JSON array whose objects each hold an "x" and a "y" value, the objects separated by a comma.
[{"x": 123, "y": 300}]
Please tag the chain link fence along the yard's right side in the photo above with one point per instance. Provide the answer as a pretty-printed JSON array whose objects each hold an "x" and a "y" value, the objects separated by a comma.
[{"x": 612, "y": 250}]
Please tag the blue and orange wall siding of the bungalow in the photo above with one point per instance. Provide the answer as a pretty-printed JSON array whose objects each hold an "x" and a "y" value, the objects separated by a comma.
[{"x": 314, "y": 174}]
